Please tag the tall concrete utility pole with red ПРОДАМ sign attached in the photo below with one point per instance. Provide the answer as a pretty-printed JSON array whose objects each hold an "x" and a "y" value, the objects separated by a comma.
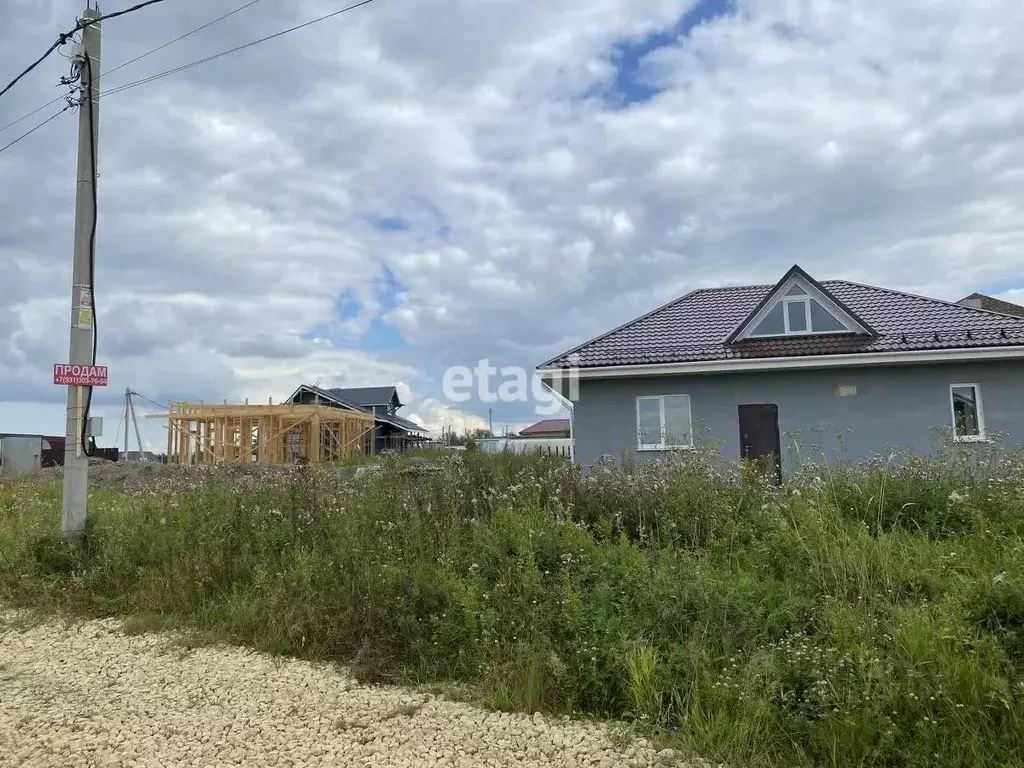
[{"x": 76, "y": 478}]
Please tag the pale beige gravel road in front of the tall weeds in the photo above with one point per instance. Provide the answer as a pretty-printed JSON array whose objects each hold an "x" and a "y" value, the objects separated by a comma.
[{"x": 90, "y": 696}]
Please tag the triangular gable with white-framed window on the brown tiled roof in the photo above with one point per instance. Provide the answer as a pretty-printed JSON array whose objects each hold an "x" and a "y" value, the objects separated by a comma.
[{"x": 799, "y": 306}]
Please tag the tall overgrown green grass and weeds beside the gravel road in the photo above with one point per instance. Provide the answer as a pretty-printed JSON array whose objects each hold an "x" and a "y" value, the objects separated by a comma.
[{"x": 860, "y": 616}]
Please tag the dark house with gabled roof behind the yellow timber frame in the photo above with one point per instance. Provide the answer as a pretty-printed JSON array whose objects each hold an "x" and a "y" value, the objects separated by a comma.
[{"x": 392, "y": 433}]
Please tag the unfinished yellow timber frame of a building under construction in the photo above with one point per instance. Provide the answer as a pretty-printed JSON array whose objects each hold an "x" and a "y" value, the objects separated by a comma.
[{"x": 198, "y": 434}]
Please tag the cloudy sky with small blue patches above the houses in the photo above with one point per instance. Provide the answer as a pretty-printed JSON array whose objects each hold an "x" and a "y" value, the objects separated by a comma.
[{"x": 424, "y": 184}]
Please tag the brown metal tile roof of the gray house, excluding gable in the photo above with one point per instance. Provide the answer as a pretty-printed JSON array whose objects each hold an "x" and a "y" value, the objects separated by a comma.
[{"x": 696, "y": 327}]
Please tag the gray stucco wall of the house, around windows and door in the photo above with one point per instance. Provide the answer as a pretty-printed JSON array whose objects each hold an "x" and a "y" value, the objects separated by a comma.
[{"x": 905, "y": 408}]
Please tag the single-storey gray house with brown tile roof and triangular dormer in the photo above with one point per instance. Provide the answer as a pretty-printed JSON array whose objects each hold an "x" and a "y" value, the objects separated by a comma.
[{"x": 799, "y": 370}]
